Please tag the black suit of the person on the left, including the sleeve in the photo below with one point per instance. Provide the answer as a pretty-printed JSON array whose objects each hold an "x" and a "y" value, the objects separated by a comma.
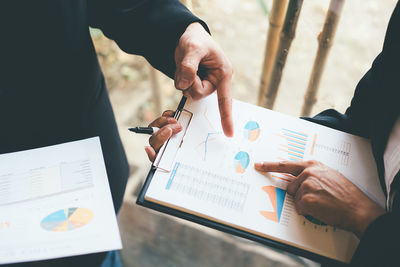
[{"x": 51, "y": 87}]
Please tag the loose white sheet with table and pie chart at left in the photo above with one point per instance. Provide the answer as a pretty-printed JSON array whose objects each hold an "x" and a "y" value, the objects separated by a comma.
[{"x": 55, "y": 202}]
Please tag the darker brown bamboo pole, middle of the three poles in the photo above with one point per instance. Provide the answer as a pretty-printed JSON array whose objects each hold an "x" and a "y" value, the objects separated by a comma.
[{"x": 286, "y": 38}]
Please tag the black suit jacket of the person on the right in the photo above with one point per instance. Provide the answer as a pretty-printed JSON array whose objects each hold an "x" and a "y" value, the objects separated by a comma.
[{"x": 373, "y": 112}]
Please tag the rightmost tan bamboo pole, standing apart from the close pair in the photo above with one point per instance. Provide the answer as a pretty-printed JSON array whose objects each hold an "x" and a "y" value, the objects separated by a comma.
[{"x": 325, "y": 41}]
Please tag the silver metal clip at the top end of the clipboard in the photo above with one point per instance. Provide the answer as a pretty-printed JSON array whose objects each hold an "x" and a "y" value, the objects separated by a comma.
[{"x": 168, "y": 152}]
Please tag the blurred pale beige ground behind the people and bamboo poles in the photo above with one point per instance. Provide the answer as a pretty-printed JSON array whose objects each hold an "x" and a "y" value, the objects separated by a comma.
[{"x": 155, "y": 239}]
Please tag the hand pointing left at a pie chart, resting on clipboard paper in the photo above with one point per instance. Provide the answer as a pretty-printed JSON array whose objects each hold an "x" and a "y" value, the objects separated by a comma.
[{"x": 327, "y": 195}]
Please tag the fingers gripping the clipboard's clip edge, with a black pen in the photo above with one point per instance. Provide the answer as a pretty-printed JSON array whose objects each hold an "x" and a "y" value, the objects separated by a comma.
[{"x": 168, "y": 127}]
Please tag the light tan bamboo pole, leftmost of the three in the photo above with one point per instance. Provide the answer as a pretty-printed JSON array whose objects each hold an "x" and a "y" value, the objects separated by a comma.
[{"x": 276, "y": 19}]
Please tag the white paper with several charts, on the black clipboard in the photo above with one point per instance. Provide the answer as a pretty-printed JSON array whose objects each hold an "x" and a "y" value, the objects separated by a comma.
[{"x": 214, "y": 177}]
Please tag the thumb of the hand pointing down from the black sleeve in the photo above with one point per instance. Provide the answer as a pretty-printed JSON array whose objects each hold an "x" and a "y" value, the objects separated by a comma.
[{"x": 186, "y": 69}]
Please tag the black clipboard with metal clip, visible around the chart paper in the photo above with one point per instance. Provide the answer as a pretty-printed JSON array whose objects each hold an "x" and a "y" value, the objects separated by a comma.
[{"x": 185, "y": 117}]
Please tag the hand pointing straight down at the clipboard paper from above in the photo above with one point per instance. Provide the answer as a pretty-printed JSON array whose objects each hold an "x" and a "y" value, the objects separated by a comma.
[{"x": 197, "y": 48}]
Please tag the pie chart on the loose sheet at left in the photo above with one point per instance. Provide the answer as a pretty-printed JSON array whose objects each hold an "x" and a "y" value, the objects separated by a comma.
[{"x": 67, "y": 219}]
